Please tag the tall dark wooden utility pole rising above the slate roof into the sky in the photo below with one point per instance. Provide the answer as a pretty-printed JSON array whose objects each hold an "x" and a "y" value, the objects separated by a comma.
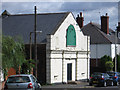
[{"x": 35, "y": 42}]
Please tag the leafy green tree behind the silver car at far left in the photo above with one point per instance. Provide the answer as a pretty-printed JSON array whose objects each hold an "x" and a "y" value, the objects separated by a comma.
[{"x": 12, "y": 53}]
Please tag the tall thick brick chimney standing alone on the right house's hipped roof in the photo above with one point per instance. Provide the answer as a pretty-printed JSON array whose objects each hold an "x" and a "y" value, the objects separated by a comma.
[{"x": 105, "y": 24}]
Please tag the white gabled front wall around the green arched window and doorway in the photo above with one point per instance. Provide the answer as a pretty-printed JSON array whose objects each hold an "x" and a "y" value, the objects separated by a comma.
[{"x": 59, "y": 55}]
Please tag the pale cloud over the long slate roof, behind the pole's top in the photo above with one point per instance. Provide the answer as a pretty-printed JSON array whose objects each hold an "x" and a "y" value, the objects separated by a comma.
[{"x": 22, "y": 7}]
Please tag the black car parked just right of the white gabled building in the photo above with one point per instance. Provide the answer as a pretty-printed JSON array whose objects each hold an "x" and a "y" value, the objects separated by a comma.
[{"x": 101, "y": 79}]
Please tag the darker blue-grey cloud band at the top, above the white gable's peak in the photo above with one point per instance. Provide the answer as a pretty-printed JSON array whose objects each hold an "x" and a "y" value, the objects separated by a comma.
[{"x": 86, "y": 6}]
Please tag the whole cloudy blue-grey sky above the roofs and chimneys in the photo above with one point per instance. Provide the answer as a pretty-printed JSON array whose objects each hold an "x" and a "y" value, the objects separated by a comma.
[{"x": 91, "y": 10}]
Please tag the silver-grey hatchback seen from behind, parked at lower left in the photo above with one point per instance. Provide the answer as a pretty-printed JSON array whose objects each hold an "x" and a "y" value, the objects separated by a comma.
[{"x": 22, "y": 82}]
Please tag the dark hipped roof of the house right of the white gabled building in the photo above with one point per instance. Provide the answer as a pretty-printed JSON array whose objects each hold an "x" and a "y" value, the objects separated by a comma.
[{"x": 97, "y": 36}]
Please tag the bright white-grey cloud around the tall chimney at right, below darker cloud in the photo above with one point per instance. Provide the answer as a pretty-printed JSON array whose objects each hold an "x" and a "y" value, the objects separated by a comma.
[{"x": 95, "y": 15}]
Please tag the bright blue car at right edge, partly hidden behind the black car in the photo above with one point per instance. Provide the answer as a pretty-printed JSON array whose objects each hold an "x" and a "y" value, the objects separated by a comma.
[{"x": 115, "y": 76}]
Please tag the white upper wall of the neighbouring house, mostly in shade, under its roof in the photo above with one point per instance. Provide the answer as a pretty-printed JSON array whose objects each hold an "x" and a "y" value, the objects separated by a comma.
[{"x": 99, "y": 50}]
